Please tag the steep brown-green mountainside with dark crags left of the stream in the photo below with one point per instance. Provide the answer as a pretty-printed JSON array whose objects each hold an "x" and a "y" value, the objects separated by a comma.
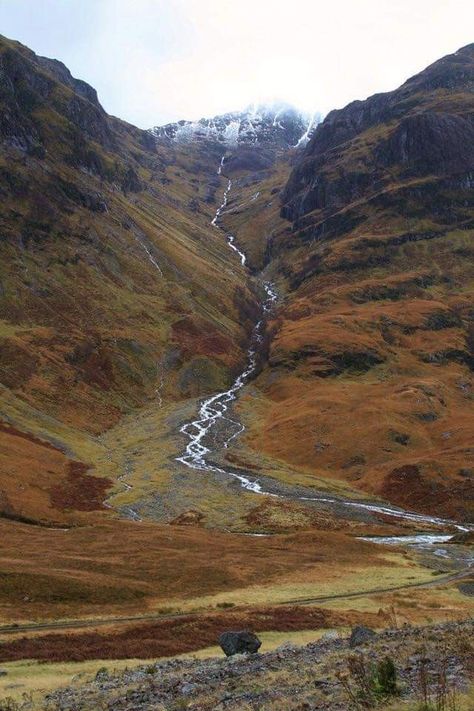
[{"x": 109, "y": 266}]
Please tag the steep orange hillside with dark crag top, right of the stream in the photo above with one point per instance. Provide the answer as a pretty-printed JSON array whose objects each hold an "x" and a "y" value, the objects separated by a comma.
[{"x": 370, "y": 367}]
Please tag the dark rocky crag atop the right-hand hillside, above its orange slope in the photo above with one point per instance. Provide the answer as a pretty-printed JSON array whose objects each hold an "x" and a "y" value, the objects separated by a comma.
[{"x": 424, "y": 128}]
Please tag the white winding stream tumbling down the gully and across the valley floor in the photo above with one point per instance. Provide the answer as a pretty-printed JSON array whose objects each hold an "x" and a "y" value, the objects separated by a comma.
[{"x": 214, "y": 429}]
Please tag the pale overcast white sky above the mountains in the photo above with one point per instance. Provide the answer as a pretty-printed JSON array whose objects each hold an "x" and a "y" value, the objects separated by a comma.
[{"x": 154, "y": 61}]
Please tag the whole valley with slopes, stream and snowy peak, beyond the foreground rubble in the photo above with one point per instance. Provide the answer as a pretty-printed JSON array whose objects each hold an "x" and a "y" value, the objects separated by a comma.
[{"x": 236, "y": 366}]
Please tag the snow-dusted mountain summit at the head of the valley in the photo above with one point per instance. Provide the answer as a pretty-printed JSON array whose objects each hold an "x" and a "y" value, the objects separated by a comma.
[{"x": 278, "y": 124}]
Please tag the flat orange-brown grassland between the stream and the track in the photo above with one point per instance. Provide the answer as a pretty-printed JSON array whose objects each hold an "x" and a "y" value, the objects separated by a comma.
[{"x": 121, "y": 566}]
